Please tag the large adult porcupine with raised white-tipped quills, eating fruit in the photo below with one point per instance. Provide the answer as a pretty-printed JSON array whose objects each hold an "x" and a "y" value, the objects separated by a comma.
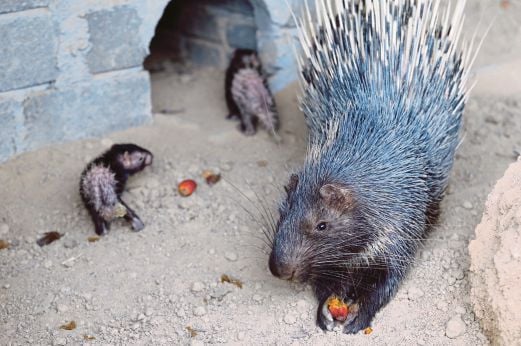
[{"x": 383, "y": 95}]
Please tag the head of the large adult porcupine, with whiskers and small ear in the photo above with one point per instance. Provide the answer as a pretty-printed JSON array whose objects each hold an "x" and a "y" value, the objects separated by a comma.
[{"x": 320, "y": 231}]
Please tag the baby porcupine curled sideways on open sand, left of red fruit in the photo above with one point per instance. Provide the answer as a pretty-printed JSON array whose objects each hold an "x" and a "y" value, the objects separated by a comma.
[{"x": 103, "y": 181}]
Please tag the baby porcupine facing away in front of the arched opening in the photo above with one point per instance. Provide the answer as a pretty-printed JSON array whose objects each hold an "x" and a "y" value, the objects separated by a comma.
[{"x": 248, "y": 96}]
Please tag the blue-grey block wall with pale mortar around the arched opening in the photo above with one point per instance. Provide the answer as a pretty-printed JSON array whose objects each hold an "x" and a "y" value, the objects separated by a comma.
[{"x": 71, "y": 69}]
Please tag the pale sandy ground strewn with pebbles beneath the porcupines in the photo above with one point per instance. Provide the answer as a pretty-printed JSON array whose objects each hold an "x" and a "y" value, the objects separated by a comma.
[{"x": 162, "y": 285}]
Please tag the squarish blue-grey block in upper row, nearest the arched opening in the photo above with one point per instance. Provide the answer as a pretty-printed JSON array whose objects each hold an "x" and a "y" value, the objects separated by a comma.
[{"x": 115, "y": 39}]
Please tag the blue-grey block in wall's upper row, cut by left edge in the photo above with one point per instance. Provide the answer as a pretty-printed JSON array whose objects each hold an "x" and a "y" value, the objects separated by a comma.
[{"x": 27, "y": 51}]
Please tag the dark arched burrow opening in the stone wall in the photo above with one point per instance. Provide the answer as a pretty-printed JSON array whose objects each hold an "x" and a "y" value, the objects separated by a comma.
[{"x": 201, "y": 33}]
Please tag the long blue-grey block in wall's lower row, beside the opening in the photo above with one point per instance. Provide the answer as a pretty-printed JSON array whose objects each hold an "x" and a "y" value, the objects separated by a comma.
[{"x": 87, "y": 111}]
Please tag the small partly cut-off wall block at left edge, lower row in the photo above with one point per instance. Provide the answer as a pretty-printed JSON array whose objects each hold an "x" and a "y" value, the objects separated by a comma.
[{"x": 10, "y": 120}]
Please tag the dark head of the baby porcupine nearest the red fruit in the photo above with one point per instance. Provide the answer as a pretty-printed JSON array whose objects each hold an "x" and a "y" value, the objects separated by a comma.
[{"x": 130, "y": 157}]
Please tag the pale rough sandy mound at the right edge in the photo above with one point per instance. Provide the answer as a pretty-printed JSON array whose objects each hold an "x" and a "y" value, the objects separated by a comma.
[{"x": 495, "y": 269}]
